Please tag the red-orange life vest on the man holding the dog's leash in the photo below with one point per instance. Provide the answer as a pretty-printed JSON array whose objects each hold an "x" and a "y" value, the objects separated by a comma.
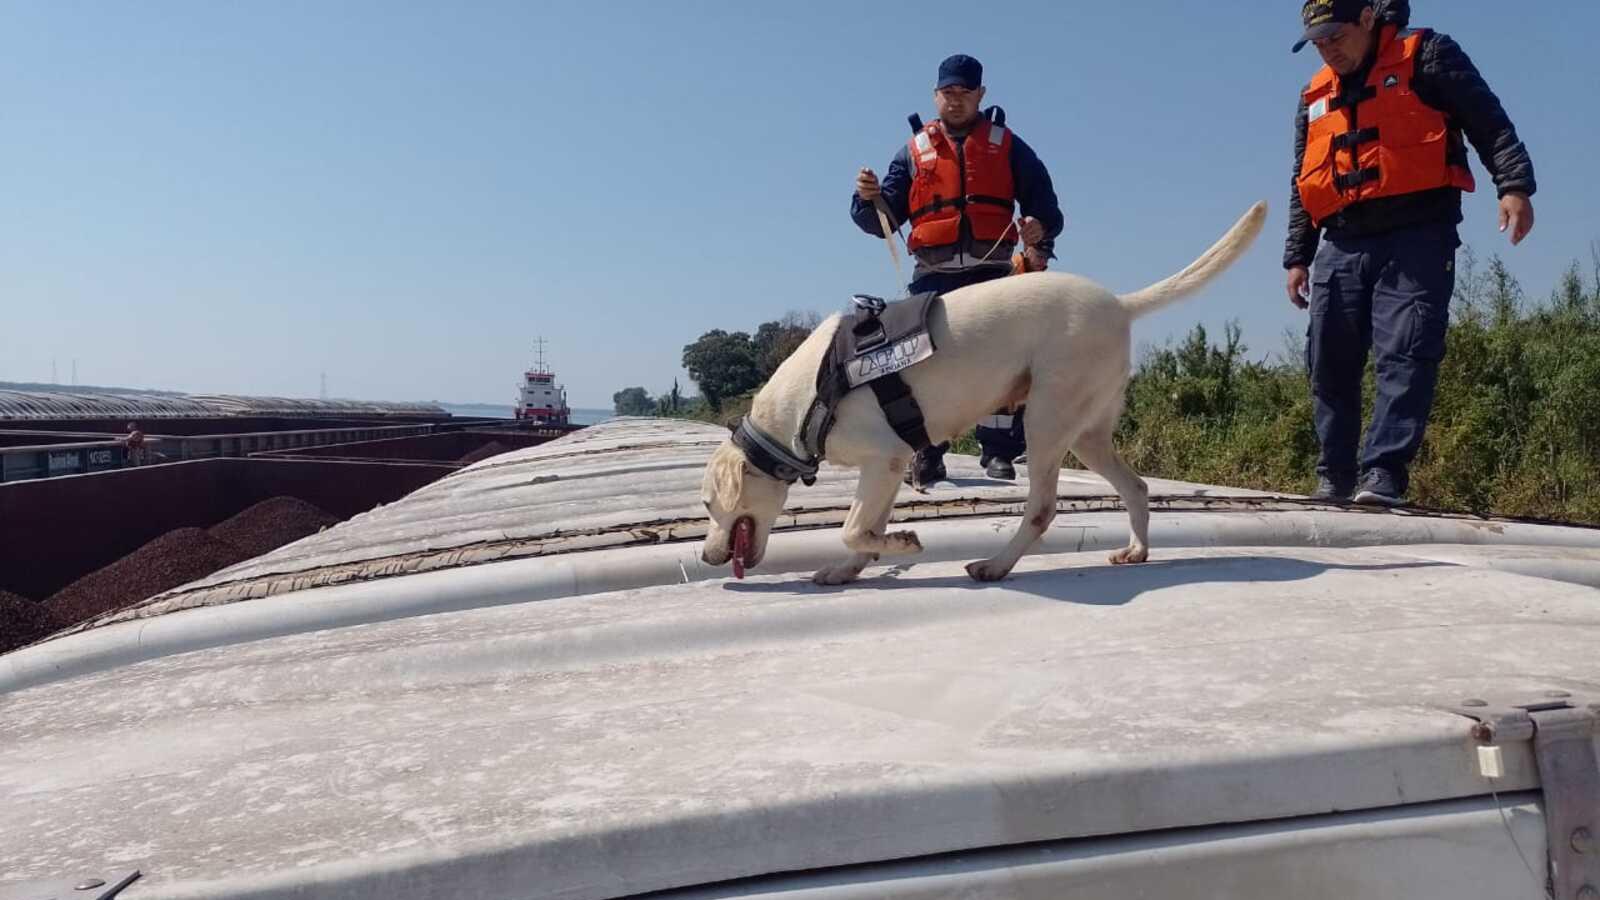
[{"x": 950, "y": 185}]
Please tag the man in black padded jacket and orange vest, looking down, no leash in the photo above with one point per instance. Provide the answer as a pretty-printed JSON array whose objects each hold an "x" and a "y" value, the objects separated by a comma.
[{"x": 1380, "y": 167}]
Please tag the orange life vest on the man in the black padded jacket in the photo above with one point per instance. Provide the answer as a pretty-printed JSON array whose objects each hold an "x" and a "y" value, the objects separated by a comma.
[{"x": 1388, "y": 145}]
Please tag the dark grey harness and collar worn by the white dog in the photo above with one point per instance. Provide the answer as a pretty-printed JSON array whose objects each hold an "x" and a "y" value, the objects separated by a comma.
[{"x": 871, "y": 348}]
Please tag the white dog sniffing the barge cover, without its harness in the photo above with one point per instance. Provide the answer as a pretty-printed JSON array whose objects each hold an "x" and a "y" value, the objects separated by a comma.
[{"x": 1057, "y": 342}]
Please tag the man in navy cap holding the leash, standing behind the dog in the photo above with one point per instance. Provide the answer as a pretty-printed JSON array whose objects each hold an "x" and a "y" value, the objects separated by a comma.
[{"x": 958, "y": 182}]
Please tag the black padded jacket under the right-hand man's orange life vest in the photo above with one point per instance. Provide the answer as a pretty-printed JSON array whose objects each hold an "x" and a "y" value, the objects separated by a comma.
[{"x": 1449, "y": 82}]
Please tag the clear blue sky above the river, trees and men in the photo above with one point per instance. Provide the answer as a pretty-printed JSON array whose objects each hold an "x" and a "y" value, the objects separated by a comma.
[{"x": 241, "y": 196}]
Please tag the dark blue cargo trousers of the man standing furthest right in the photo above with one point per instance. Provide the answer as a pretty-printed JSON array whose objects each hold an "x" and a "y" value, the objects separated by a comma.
[{"x": 1391, "y": 295}]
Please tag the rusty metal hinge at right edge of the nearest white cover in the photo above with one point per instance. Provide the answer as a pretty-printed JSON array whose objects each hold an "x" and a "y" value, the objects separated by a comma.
[{"x": 1564, "y": 731}]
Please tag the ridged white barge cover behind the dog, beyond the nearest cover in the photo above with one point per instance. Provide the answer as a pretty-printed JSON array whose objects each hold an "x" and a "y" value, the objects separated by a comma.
[{"x": 622, "y": 484}]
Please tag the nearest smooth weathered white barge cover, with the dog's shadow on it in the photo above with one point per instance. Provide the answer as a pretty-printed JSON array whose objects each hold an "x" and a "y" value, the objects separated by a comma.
[{"x": 614, "y": 744}]
